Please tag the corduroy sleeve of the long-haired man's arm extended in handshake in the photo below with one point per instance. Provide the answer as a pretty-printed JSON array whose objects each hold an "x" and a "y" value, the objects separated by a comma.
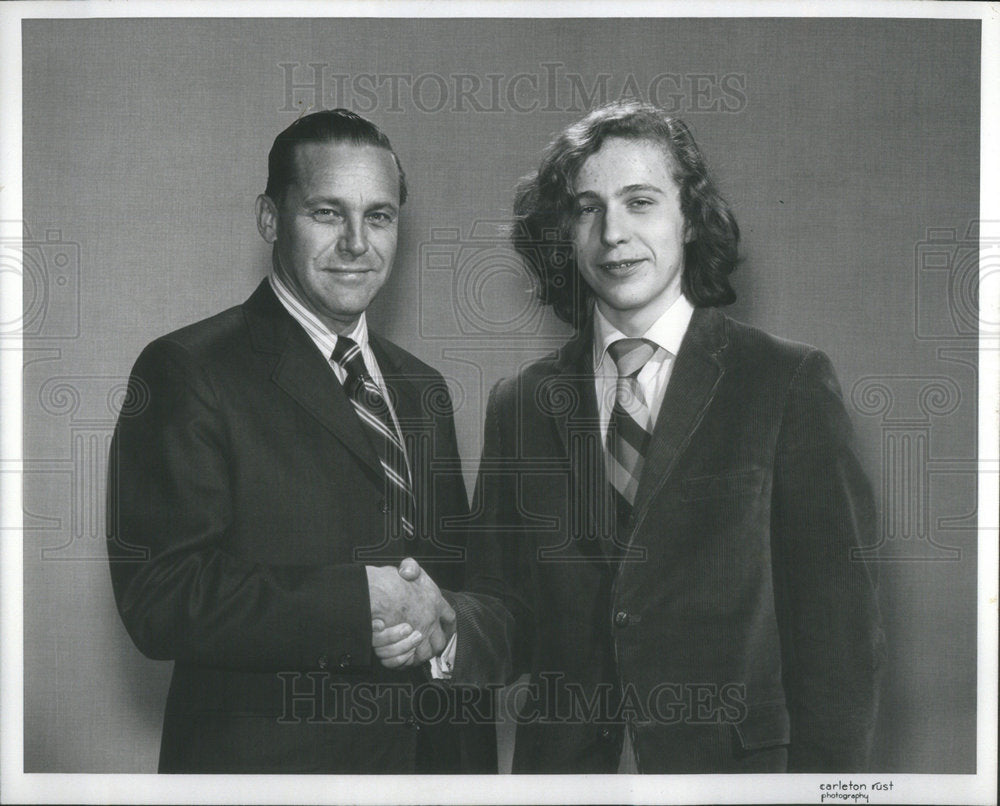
[{"x": 494, "y": 612}]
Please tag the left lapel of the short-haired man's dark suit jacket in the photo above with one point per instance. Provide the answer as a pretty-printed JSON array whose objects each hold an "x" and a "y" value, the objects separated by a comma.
[{"x": 304, "y": 374}]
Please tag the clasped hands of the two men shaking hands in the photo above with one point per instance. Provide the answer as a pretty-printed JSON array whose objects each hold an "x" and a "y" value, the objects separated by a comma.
[{"x": 411, "y": 621}]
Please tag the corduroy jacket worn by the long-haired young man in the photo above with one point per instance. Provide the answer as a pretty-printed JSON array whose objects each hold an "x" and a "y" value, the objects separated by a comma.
[{"x": 737, "y": 633}]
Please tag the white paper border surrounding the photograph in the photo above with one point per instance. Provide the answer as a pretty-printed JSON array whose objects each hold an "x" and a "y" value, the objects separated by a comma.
[{"x": 95, "y": 788}]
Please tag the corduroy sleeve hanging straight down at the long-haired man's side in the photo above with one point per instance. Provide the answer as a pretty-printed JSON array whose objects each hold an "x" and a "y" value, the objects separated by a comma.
[{"x": 832, "y": 642}]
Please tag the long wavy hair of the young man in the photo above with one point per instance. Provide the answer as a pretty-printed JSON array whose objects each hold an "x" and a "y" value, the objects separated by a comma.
[{"x": 544, "y": 209}]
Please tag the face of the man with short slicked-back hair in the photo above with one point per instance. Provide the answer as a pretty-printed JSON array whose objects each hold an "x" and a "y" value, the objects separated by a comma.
[{"x": 335, "y": 228}]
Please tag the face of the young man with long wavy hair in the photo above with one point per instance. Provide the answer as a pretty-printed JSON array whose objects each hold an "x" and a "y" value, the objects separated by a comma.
[{"x": 629, "y": 232}]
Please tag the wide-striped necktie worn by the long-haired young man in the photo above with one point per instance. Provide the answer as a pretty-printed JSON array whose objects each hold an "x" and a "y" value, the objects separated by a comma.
[{"x": 630, "y": 425}]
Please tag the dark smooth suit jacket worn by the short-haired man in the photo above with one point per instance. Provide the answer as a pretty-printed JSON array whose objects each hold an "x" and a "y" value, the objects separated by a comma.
[{"x": 241, "y": 489}]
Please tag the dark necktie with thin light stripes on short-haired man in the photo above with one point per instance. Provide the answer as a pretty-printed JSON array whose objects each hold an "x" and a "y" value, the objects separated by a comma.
[{"x": 373, "y": 411}]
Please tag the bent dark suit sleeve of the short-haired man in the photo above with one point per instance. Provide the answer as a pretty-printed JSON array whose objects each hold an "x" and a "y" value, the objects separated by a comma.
[{"x": 180, "y": 593}]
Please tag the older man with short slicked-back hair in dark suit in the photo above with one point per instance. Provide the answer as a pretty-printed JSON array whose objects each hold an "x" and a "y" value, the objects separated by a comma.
[{"x": 273, "y": 464}]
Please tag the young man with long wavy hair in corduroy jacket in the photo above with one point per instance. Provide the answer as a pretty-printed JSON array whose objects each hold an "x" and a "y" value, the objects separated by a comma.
[{"x": 668, "y": 507}]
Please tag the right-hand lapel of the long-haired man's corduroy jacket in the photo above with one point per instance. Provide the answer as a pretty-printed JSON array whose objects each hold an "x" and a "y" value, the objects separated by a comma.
[{"x": 693, "y": 382}]
